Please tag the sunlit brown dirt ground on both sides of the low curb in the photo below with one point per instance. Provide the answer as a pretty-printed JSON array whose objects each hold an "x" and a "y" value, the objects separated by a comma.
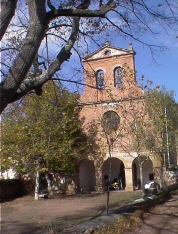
[{"x": 26, "y": 216}]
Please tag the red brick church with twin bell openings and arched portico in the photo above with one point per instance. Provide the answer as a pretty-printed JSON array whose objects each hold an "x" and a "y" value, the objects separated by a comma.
[{"x": 107, "y": 89}]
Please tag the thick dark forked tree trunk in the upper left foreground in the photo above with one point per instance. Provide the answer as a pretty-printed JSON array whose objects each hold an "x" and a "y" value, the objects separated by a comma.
[{"x": 14, "y": 80}]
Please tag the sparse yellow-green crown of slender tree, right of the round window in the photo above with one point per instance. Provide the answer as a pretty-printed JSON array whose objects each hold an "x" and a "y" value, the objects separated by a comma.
[{"x": 134, "y": 127}]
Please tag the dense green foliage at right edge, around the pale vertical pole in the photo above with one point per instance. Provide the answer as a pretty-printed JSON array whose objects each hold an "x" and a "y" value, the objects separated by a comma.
[{"x": 163, "y": 113}]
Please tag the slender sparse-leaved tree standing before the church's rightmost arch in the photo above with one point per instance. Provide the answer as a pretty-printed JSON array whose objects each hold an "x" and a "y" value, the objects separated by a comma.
[{"x": 134, "y": 132}]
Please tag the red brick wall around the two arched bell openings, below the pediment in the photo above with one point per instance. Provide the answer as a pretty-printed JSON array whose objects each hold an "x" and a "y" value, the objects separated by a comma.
[{"x": 107, "y": 65}]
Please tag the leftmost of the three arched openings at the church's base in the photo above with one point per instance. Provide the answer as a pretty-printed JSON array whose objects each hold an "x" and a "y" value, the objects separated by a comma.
[{"x": 87, "y": 179}]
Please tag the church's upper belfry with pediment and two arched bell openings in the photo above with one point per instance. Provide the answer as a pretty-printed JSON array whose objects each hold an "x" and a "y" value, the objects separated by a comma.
[{"x": 109, "y": 74}]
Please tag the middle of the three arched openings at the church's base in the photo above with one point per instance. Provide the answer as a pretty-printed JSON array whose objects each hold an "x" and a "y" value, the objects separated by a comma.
[{"x": 117, "y": 170}]
